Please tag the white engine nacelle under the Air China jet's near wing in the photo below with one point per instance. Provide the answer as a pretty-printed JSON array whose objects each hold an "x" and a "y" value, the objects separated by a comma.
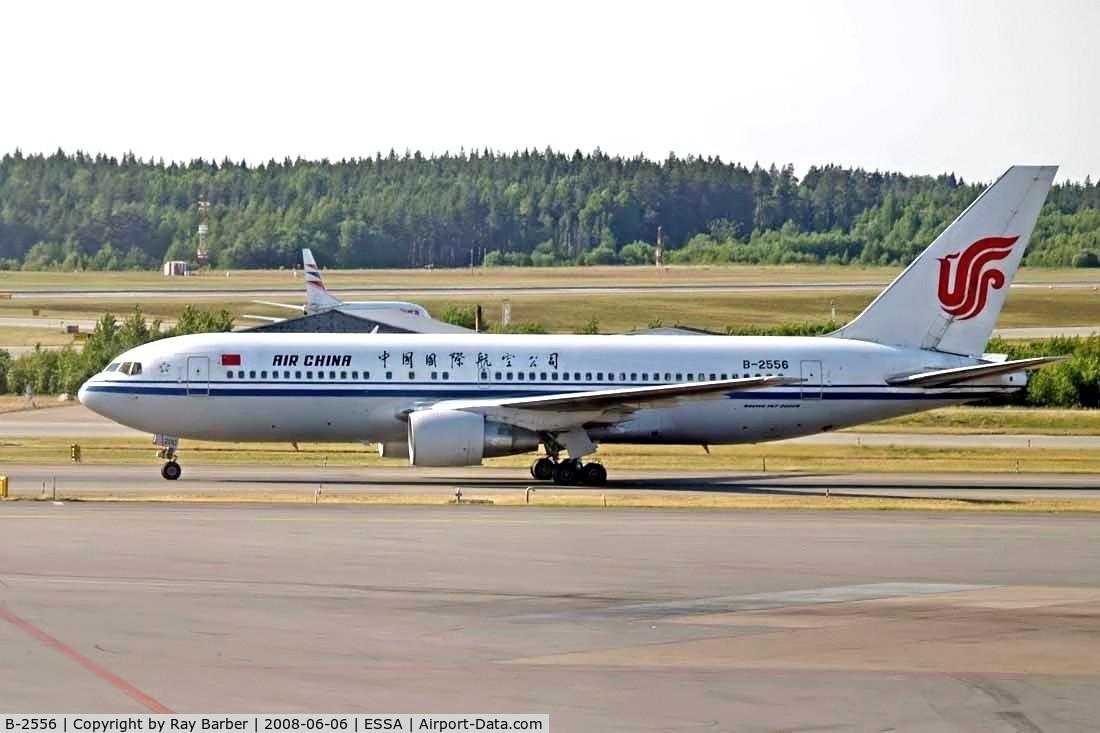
[{"x": 454, "y": 437}]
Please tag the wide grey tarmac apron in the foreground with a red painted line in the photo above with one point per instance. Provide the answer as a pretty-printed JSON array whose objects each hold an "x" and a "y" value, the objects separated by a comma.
[{"x": 608, "y": 621}]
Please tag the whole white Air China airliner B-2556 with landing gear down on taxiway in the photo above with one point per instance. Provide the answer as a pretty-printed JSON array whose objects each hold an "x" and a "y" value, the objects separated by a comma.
[{"x": 456, "y": 400}]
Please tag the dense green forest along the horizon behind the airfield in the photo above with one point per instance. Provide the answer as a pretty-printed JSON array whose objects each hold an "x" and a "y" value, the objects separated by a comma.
[{"x": 81, "y": 212}]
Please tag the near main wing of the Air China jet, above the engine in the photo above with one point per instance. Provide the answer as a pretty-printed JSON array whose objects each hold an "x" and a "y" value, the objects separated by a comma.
[{"x": 557, "y": 412}]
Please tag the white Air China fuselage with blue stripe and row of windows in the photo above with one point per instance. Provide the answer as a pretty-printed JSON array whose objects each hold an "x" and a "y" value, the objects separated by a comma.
[{"x": 343, "y": 388}]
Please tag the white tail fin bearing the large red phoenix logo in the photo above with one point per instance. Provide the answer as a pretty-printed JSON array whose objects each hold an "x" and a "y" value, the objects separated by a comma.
[{"x": 950, "y": 299}]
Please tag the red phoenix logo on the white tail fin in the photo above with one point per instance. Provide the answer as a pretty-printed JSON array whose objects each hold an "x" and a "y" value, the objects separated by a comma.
[{"x": 964, "y": 292}]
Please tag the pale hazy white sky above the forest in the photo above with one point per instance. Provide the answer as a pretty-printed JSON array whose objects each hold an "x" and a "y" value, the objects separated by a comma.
[{"x": 920, "y": 87}]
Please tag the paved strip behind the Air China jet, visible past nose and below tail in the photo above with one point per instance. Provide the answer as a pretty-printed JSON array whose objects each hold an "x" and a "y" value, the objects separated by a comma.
[{"x": 78, "y": 422}]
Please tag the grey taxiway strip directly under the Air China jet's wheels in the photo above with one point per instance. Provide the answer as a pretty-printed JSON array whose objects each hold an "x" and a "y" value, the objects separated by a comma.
[{"x": 221, "y": 482}]
